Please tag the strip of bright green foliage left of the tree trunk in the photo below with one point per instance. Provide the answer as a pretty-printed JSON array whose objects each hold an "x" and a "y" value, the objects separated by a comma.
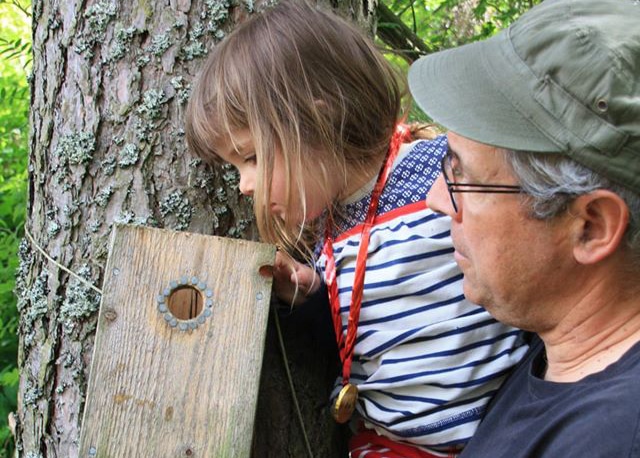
[{"x": 15, "y": 59}]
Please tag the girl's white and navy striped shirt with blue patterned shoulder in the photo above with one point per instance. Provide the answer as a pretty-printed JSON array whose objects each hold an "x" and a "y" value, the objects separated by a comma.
[{"x": 426, "y": 361}]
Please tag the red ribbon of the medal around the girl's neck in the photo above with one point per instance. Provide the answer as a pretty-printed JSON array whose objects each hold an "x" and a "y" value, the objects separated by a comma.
[{"x": 347, "y": 344}]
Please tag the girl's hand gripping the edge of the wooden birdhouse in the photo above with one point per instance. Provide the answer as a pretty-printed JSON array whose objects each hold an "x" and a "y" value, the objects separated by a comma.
[{"x": 293, "y": 281}]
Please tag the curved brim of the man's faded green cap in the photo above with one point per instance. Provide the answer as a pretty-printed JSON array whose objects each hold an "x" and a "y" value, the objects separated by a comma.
[{"x": 473, "y": 90}]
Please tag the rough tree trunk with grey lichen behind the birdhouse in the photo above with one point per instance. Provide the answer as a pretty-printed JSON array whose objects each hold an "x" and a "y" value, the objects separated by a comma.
[{"x": 109, "y": 87}]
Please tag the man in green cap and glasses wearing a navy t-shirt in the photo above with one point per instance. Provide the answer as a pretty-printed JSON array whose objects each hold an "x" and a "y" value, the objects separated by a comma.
[{"x": 542, "y": 182}]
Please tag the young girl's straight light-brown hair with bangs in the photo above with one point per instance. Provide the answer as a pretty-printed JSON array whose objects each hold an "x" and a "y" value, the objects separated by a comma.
[{"x": 308, "y": 84}]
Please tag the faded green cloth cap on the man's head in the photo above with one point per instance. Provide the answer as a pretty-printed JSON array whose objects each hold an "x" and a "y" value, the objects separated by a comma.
[{"x": 564, "y": 78}]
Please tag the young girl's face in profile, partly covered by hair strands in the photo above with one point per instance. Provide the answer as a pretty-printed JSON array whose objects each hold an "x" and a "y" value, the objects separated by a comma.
[{"x": 239, "y": 151}]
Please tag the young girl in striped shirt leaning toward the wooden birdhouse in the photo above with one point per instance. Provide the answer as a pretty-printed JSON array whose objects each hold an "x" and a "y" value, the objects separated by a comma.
[{"x": 307, "y": 110}]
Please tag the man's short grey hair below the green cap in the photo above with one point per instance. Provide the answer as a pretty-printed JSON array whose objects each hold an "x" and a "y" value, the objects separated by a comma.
[{"x": 552, "y": 182}]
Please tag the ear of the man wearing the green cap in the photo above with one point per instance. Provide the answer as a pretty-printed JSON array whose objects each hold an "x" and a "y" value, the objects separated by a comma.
[{"x": 601, "y": 219}]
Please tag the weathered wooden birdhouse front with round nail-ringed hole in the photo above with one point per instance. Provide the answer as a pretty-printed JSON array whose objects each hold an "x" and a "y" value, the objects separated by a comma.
[{"x": 160, "y": 391}]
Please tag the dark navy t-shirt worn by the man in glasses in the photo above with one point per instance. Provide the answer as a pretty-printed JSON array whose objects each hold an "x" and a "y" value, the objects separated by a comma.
[{"x": 596, "y": 417}]
